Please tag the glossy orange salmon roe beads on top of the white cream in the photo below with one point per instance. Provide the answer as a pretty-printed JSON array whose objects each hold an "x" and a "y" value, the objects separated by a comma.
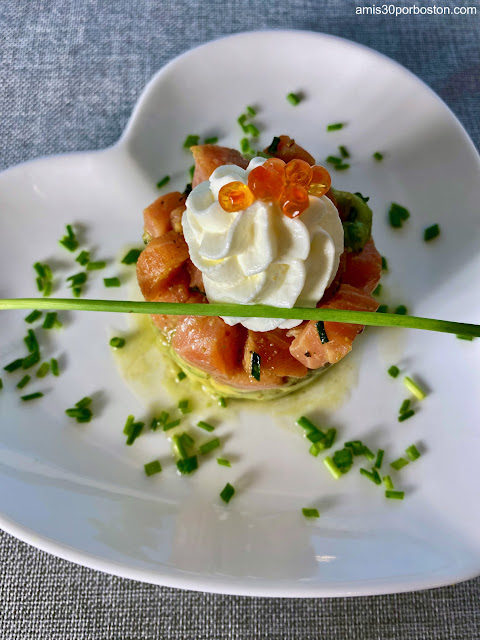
[{"x": 287, "y": 184}]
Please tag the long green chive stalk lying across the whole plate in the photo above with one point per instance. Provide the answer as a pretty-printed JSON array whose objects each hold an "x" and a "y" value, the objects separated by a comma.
[{"x": 245, "y": 311}]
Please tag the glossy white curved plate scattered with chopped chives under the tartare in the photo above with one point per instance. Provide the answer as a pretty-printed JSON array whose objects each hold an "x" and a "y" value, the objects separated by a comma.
[{"x": 80, "y": 493}]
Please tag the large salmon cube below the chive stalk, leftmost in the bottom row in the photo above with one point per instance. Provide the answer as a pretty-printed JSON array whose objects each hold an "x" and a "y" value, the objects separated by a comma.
[{"x": 210, "y": 344}]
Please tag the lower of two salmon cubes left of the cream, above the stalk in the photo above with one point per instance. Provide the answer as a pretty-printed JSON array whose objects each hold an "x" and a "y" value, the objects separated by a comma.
[{"x": 159, "y": 262}]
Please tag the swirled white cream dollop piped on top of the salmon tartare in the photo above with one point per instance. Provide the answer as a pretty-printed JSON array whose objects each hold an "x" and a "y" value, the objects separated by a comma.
[{"x": 259, "y": 255}]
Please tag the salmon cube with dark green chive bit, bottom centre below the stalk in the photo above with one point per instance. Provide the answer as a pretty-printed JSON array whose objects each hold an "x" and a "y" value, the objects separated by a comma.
[{"x": 273, "y": 349}]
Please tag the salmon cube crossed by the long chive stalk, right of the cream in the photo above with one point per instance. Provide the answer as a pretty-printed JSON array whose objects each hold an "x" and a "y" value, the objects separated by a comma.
[{"x": 308, "y": 348}]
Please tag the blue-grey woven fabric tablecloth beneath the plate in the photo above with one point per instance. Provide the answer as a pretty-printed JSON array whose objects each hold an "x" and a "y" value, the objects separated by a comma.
[{"x": 70, "y": 73}]
